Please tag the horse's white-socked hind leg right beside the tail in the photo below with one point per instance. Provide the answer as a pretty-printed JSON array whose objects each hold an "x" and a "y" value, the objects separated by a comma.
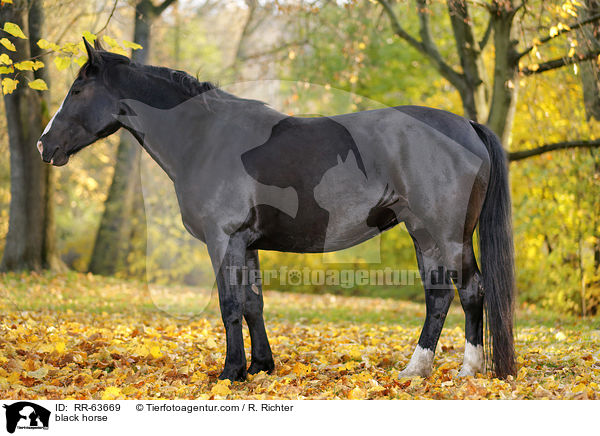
[{"x": 471, "y": 299}]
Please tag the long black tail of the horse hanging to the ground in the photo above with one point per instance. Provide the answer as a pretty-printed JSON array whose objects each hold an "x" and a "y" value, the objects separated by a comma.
[{"x": 497, "y": 256}]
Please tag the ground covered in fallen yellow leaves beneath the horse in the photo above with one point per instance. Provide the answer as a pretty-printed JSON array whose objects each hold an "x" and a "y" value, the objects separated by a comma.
[{"x": 83, "y": 337}]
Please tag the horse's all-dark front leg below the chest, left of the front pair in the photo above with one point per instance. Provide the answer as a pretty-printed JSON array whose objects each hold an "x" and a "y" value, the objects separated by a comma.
[{"x": 232, "y": 296}]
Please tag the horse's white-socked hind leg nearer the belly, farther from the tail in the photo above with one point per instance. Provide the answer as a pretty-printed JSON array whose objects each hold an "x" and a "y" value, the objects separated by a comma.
[{"x": 438, "y": 297}]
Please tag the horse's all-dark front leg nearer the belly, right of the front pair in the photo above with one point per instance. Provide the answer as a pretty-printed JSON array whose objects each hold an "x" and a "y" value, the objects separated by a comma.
[{"x": 262, "y": 357}]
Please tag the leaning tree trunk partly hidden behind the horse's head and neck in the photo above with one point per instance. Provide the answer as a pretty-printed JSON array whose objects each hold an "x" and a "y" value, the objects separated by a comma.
[{"x": 123, "y": 224}]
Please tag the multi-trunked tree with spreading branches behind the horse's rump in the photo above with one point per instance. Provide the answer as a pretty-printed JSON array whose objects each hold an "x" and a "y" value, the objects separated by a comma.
[{"x": 491, "y": 98}]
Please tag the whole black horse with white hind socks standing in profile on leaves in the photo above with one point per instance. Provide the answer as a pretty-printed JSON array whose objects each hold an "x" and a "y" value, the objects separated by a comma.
[{"x": 250, "y": 178}]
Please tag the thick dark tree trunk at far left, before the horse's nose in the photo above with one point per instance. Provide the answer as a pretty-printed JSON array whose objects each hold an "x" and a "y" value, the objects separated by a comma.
[{"x": 30, "y": 237}]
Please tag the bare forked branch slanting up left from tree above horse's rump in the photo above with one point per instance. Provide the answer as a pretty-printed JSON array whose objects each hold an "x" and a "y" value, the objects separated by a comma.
[{"x": 426, "y": 46}]
